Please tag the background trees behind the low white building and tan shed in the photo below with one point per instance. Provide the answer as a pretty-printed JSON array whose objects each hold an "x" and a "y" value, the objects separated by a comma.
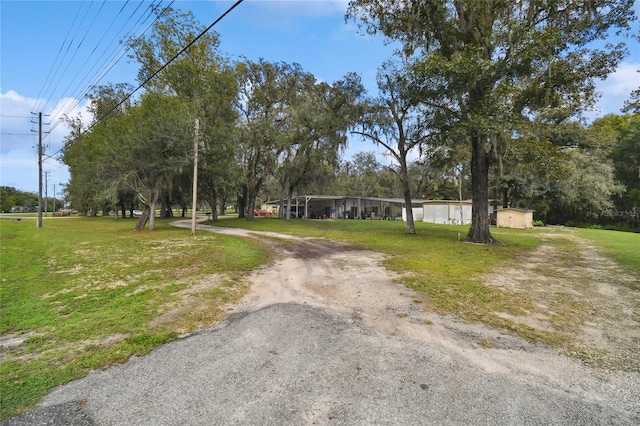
[{"x": 579, "y": 176}]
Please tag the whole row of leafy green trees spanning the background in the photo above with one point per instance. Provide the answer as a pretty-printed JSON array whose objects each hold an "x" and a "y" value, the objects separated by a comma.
[{"x": 459, "y": 112}]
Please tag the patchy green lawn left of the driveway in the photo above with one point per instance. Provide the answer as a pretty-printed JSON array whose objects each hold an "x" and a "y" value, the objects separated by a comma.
[{"x": 89, "y": 291}]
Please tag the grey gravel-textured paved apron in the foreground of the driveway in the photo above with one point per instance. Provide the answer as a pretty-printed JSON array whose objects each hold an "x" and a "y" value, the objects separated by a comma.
[{"x": 296, "y": 364}]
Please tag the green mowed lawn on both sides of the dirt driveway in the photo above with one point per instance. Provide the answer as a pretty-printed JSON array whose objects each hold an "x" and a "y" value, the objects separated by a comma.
[{"x": 85, "y": 293}]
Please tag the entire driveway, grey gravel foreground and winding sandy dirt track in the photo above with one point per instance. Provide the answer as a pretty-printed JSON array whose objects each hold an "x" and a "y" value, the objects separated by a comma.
[{"x": 327, "y": 337}]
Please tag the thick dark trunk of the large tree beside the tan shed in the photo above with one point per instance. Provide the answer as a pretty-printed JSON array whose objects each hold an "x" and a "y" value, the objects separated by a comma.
[{"x": 479, "y": 232}]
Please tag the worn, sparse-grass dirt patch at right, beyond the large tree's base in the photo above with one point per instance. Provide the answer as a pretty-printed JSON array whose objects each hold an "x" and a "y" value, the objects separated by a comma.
[{"x": 580, "y": 293}]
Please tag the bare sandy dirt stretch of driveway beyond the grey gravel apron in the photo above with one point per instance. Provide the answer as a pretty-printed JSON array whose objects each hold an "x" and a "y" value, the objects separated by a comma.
[{"x": 343, "y": 278}]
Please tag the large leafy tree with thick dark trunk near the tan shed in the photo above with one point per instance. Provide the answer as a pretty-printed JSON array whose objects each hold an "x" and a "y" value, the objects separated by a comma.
[{"x": 484, "y": 66}]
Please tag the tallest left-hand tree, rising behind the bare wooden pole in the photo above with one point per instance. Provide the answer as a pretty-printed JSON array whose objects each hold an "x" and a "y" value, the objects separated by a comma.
[{"x": 203, "y": 76}]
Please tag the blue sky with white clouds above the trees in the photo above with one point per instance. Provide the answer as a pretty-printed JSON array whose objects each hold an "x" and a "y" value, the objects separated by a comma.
[{"x": 51, "y": 52}]
